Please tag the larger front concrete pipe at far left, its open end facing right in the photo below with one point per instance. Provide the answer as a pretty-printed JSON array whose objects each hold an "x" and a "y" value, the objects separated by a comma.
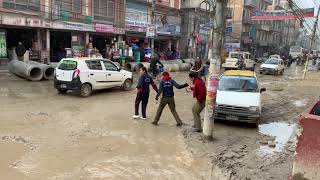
[{"x": 28, "y": 71}]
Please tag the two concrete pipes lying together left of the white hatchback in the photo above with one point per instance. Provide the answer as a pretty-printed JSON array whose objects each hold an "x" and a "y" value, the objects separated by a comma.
[{"x": 31, "y": 70}]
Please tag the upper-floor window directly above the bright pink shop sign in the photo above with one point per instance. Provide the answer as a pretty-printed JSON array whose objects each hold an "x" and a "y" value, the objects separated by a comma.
[{"x": 103, "y": 10}]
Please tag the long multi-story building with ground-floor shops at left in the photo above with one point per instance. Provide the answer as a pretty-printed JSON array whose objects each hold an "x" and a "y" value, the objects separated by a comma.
[{"x": 51, "y": 29}]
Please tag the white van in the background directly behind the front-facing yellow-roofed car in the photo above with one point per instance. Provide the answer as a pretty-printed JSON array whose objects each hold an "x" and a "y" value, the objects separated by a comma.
[{"x": 234, "y": 56}]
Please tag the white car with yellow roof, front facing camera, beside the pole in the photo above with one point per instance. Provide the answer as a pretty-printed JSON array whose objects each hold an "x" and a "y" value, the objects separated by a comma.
[{"x": 239, "y": 97}]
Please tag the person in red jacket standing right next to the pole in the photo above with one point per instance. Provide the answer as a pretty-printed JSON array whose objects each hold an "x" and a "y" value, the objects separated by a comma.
[{"x": 199, "y": 93}]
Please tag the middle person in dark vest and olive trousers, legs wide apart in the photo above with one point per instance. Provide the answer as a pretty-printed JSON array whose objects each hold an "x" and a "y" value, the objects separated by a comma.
[{"x": 166, "y": 89}]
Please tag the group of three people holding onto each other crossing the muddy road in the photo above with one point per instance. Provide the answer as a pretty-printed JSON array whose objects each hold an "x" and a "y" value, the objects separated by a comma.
[{"x": 166, "y": 92}]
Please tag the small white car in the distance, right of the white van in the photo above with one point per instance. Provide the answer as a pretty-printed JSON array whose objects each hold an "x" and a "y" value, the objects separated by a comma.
[{"x": 272, "y": 66}]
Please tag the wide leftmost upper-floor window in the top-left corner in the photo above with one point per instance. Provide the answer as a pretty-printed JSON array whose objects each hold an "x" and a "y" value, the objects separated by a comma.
[{"x": 22, "y": 5}]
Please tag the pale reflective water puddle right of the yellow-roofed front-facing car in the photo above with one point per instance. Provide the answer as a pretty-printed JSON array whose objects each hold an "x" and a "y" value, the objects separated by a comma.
[{"x": 280, "y": 131}]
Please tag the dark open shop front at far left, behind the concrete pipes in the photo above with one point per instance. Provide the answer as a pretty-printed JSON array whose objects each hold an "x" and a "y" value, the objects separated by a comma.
[{"x": 26, "y": 32}]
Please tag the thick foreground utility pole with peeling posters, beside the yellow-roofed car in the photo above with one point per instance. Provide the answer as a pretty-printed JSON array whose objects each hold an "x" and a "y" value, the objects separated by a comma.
[{"x": 214, "y": 69}]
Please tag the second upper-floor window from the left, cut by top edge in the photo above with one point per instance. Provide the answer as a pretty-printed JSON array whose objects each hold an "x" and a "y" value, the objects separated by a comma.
[{"x": 68, "y": 6}]
